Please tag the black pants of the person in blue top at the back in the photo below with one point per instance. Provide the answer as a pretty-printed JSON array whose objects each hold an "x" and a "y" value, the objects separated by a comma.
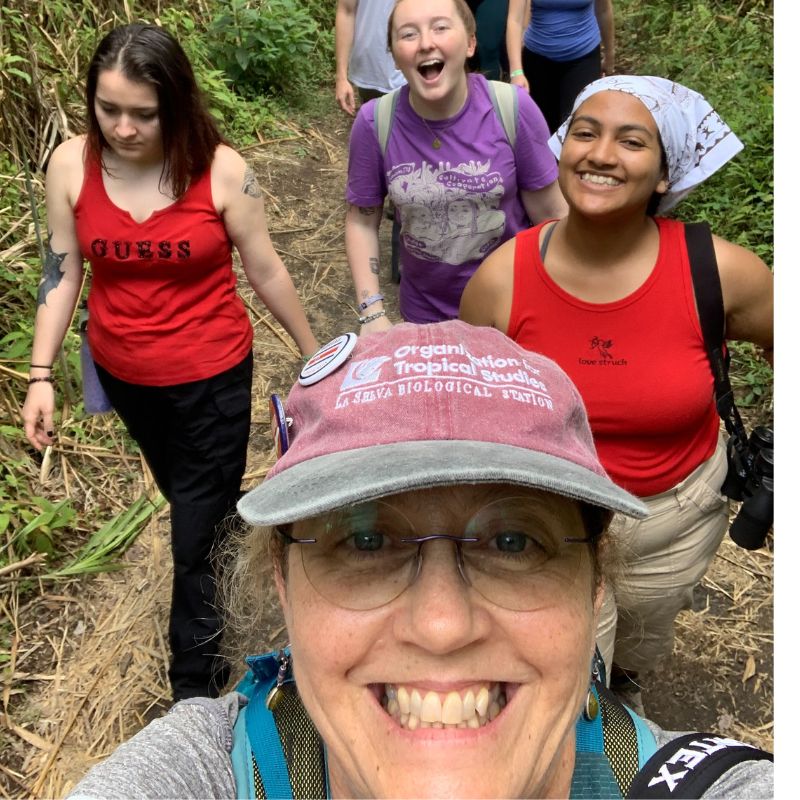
[{"x": 554, "y": 85}]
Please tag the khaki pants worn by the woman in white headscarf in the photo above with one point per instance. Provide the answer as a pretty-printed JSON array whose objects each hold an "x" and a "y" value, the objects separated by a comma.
[{"x": 665, "y": 557}]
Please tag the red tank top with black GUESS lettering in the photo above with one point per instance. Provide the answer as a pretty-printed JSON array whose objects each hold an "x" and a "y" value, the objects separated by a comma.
[{"x": 163, "y": 305}]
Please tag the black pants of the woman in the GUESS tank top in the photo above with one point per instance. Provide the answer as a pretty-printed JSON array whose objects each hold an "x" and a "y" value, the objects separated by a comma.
[{"x": 194, "y": 439}]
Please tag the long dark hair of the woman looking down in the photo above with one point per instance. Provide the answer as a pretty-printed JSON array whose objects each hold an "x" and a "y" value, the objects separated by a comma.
[{"x": 148, "y": 54}]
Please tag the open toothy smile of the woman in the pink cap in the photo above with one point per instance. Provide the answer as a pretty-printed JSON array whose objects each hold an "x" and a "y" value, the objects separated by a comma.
[{"x": 471, "y": 709}]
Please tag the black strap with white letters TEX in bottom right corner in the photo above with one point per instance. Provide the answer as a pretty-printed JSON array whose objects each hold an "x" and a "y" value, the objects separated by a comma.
[{"x": 688, "y": 765}]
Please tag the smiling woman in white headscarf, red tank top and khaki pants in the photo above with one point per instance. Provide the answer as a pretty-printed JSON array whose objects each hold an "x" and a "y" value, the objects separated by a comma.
[{"x": 607, "y": 293}]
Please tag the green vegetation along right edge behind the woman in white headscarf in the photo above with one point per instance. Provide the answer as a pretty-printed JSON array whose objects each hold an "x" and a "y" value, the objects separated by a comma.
[{"x": 723, "y": 49}]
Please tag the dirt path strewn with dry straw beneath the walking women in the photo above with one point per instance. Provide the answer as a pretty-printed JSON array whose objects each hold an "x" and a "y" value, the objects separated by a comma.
[{"x": 104, "y": 664}]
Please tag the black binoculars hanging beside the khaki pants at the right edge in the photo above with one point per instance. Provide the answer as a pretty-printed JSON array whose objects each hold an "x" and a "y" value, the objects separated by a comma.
[{"x": 750, "y": 479}]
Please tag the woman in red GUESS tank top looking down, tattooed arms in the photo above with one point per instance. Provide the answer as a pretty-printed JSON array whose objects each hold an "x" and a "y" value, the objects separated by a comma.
[{"x": 153, "y": 198}]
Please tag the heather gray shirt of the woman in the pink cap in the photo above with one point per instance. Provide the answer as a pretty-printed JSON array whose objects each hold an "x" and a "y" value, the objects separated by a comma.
[{"x": 186, "y": 753}]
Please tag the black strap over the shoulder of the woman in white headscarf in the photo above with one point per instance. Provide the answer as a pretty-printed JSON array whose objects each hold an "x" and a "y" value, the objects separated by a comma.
[{"x": 711, "y": 310}]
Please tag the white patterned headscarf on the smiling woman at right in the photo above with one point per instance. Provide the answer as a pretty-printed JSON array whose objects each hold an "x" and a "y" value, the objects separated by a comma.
[{"x": 696, "y": 140}]
